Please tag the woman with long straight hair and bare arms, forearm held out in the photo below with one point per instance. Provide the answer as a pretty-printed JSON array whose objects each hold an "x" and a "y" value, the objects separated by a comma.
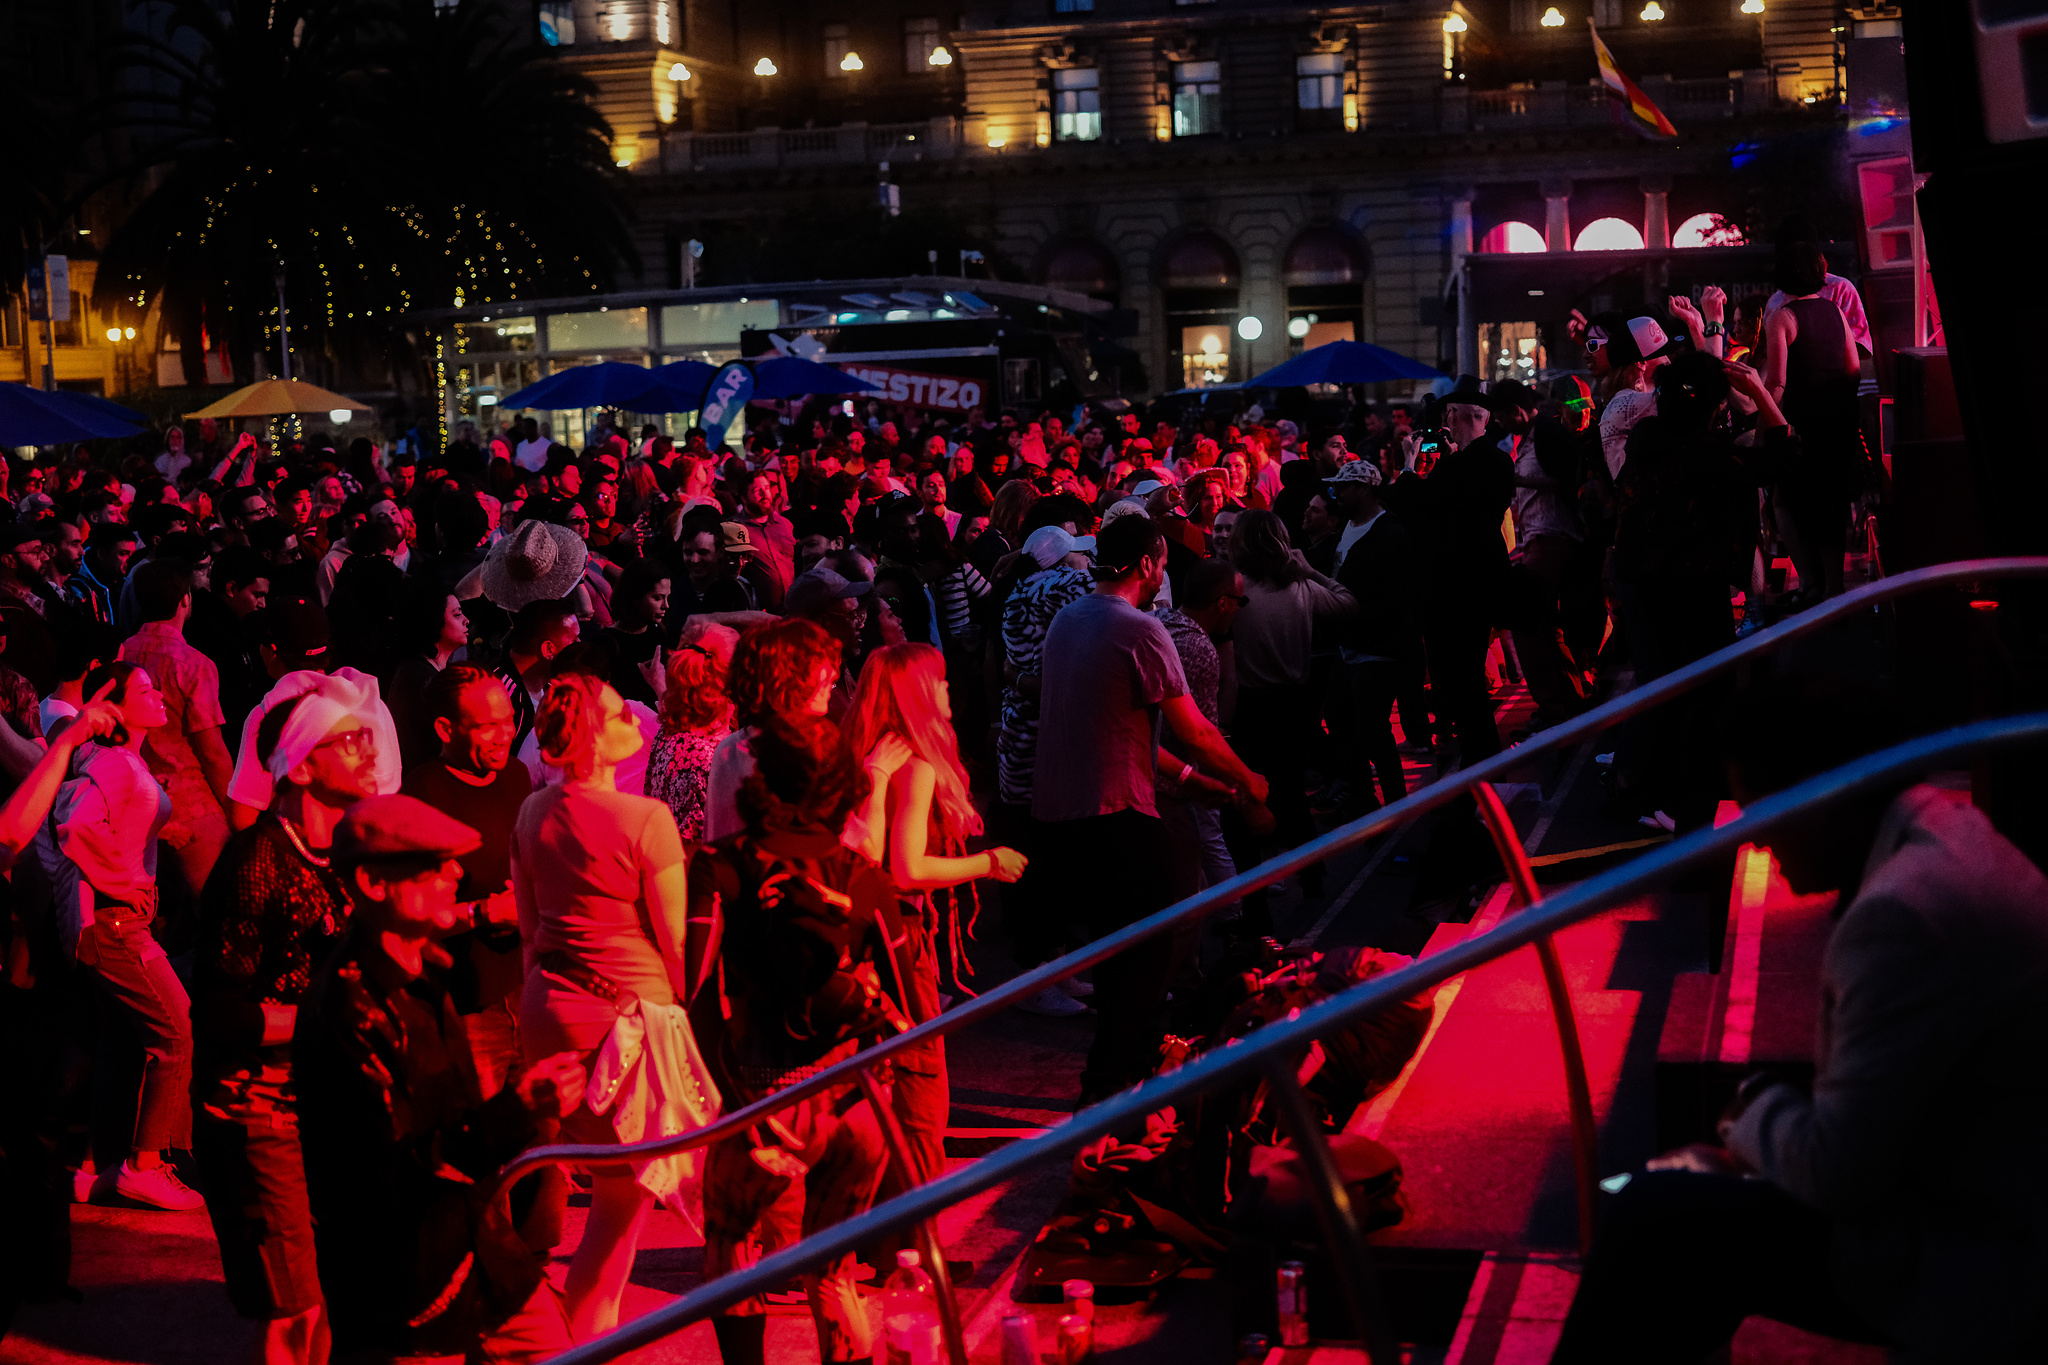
[{"x": 929, "y": 820}]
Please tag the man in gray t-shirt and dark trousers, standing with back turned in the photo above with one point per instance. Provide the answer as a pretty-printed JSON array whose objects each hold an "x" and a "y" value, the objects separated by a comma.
[{"x": 1111, "y": 676}]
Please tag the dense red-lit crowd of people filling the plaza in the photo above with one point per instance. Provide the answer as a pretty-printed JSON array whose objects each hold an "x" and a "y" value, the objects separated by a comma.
[{"x": 382, "y": 811}]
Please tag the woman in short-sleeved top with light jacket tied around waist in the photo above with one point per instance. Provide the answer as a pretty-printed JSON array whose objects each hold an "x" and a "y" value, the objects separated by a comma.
[{"x": 611, "y": 967}]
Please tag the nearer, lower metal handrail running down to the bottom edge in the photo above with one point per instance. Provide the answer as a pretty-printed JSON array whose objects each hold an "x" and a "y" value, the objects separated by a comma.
[{"x": 1273, "y": 1049}]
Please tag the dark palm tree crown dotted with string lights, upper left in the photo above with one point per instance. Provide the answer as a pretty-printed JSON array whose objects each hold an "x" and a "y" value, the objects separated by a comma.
[{"x": 312, "y": 136}]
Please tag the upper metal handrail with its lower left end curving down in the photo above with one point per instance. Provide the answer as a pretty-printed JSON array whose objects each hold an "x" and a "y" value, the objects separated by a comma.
[{"x": 1279, "y": 869}]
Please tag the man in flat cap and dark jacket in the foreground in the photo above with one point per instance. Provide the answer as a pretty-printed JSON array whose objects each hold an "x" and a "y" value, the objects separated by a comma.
[{"x": 400, "y": 1147}]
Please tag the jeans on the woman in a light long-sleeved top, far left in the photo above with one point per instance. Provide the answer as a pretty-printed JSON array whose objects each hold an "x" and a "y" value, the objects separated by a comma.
[{"x": 136, "y": 975}]
